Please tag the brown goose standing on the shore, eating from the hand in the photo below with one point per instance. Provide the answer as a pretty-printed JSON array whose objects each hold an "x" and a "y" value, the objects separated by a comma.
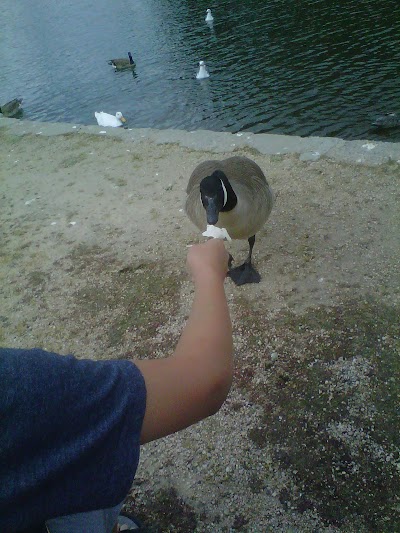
[{"x": 232, "y": 194}]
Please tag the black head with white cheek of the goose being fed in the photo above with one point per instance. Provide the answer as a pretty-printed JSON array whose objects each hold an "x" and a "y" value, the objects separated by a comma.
[{"x": 217, "y": 195}]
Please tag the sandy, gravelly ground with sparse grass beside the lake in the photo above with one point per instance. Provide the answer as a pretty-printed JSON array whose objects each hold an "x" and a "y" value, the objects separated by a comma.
[{"x": 92, "y": 262}]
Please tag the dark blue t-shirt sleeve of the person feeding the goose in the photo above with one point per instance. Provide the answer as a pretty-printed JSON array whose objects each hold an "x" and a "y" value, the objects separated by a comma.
[{"x": 69, "y": 434}]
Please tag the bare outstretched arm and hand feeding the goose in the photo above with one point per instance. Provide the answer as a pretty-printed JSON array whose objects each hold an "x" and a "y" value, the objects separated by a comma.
[{"x": 194, "y": 382}]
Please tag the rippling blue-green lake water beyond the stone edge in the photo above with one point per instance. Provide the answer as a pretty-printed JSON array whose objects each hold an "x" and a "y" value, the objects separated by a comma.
[{"x": 300, "y": 67}]
